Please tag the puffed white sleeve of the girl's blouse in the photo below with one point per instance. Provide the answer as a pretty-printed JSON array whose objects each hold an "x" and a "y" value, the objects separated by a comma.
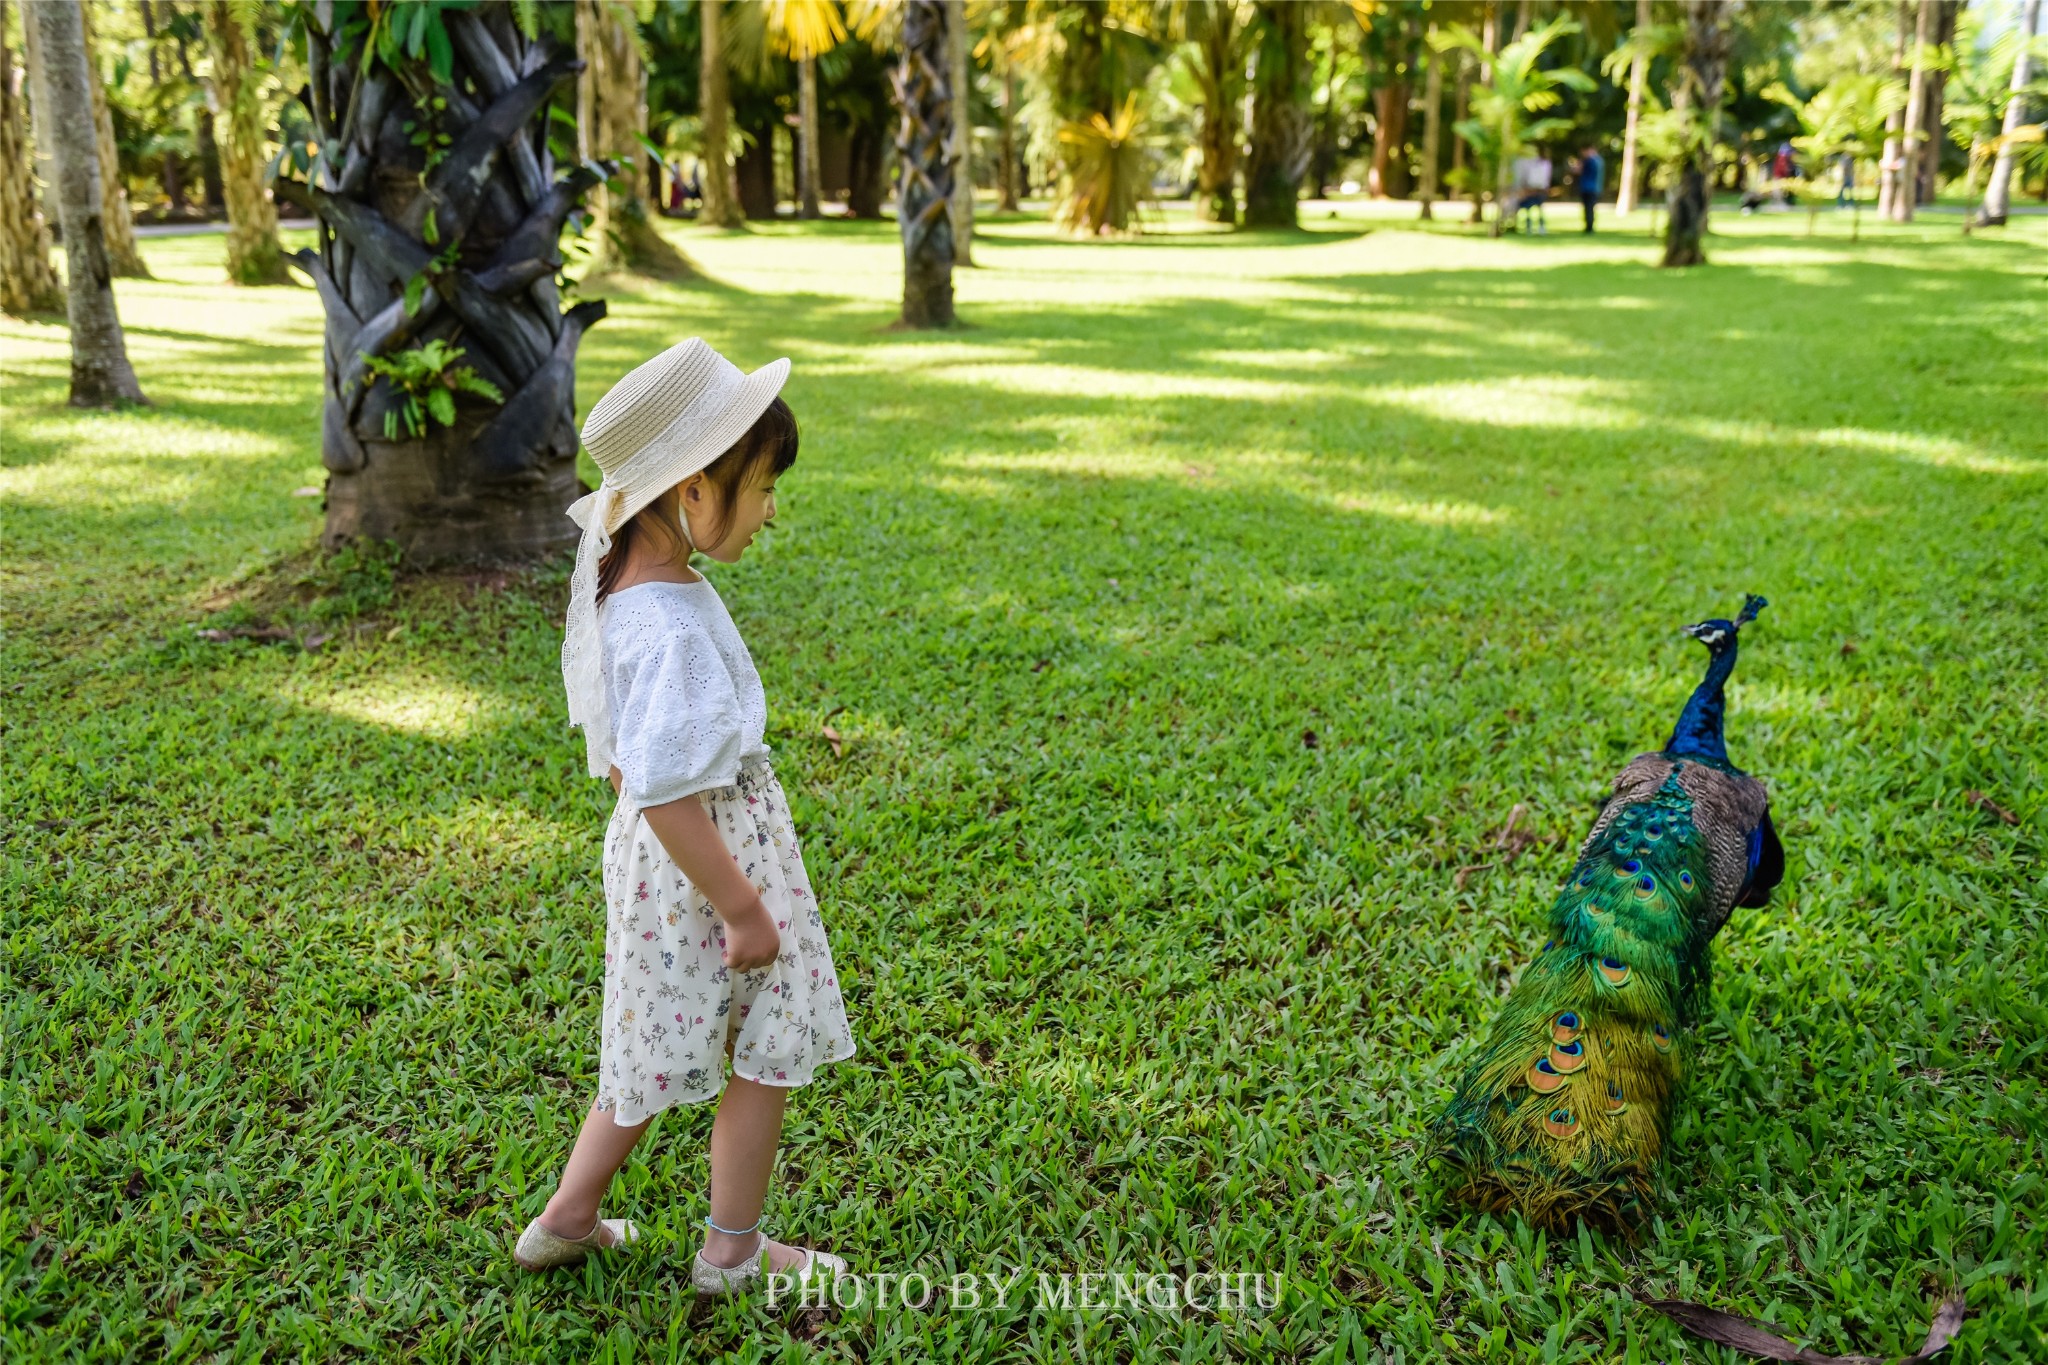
[{"x": 675, "y": 719}]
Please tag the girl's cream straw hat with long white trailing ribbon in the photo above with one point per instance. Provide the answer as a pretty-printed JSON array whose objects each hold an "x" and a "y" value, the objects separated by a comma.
[{"x": 654, "y": 429}]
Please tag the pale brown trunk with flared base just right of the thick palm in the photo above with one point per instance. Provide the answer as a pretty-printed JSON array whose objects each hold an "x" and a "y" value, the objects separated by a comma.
[{"x": 611, "y": 118}]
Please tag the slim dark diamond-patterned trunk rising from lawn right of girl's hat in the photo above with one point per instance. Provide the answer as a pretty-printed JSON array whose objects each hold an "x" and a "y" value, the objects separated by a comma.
[{"x": 925, "y": 144}]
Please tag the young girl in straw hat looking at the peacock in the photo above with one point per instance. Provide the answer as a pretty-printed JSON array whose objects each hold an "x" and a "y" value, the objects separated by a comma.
[{"x": 714, "y": 946}]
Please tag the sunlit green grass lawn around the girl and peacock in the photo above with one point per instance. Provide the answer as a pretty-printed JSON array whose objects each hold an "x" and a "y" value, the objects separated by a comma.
[{"x": 1193, "y": 619}]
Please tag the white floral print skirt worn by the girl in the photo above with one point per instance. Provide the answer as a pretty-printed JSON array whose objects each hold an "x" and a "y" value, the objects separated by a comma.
[{"x": 671, "y": 1004}]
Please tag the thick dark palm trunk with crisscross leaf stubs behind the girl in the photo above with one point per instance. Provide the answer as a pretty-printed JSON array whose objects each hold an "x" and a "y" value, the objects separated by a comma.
[{"x": 478, "y": 238}]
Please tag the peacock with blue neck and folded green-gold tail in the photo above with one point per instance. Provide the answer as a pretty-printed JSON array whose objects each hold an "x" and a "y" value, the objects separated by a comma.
[{"x": 1568, "y": 1106}]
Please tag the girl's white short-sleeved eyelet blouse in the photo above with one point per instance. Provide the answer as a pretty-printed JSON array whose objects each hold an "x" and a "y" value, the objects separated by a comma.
[{"x": 687, "y": 703}]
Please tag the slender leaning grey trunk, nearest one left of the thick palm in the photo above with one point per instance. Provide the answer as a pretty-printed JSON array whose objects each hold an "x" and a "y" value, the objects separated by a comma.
[{"x": 101, "y": 373}]
